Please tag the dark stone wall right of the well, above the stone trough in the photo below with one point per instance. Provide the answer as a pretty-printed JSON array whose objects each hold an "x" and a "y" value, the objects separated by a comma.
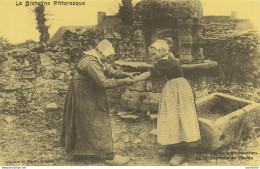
[{"x": 237, "y": 57}]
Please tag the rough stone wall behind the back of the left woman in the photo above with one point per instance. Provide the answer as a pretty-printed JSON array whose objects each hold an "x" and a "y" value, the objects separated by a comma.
[{"x": 26, "y": 77}]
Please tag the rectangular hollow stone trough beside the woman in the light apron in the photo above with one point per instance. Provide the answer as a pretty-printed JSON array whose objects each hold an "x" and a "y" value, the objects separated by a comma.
[{"x": 224, "y": 119}]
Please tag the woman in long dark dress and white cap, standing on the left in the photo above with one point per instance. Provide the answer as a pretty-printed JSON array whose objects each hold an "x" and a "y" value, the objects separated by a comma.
[{"x": 86, "y": 128}]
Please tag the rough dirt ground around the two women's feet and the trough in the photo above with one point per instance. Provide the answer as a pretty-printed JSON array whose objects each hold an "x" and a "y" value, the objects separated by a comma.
[{"x": 30, "y": 137}]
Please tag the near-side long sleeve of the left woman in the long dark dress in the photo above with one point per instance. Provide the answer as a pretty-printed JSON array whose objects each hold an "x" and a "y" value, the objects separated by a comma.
[{"x": 96, "y": 72}]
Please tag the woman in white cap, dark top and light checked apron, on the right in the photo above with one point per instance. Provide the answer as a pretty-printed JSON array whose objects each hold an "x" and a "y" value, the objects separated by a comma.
[{"x": 177, "y": 123}]
